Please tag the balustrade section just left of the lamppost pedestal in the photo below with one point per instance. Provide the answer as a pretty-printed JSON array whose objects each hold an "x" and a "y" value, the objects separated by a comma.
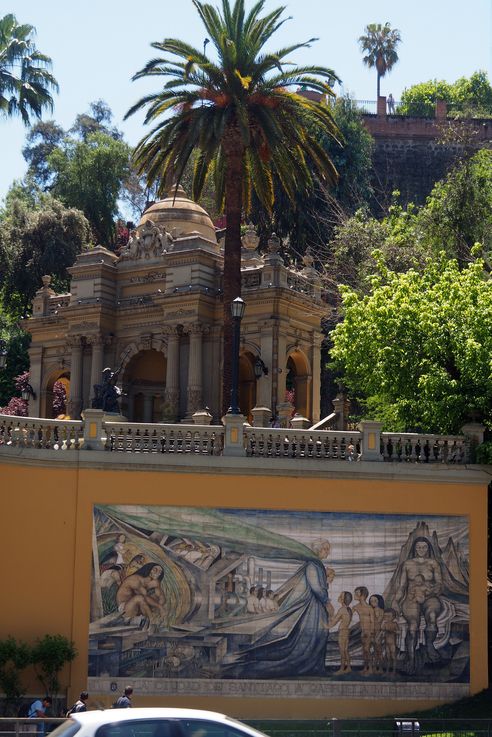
[{"x": 129, "y": 437}]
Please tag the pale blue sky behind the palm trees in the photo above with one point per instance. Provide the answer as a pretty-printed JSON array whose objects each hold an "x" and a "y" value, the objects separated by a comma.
[{"x": 96, "y": 47}]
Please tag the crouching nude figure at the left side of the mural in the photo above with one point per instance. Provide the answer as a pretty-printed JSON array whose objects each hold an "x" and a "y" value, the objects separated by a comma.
[{"x": 141, "y": 594}]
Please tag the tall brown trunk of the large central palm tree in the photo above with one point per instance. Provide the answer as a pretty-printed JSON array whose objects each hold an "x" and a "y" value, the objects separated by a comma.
[{"x": 234, "y": 153}]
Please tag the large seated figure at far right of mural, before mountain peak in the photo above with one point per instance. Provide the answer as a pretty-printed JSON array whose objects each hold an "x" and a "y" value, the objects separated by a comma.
[{"x": 418, "y": 595}]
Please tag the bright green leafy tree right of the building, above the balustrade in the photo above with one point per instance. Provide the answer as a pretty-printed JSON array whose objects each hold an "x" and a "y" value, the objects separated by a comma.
[{"x": 416, "y": 349}]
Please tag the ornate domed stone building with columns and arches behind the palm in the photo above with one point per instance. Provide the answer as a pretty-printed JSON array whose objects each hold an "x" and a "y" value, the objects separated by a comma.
[{"x": 155, "y": 312}]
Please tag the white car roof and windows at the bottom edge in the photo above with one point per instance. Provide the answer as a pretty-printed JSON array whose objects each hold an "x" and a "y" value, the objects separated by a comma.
[{"x": 153, "y": 722}]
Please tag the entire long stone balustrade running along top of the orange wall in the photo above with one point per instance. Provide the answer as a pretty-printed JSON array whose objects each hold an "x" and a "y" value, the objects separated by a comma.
[{"x": 235, "y": 438}]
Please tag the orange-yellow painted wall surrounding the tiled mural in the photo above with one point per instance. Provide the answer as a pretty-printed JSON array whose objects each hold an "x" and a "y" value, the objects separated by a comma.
[{"x": 47, "y": 534}]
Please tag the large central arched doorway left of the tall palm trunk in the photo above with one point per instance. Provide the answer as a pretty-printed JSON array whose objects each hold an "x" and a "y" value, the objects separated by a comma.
[{"x": 144, "y": 383}]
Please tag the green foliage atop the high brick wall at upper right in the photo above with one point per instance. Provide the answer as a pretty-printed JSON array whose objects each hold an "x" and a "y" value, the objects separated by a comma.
[{"x": 467, "y": 97}]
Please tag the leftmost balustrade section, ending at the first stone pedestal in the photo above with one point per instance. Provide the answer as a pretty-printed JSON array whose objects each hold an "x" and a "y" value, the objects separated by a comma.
[{"x": 35, "y": 432}]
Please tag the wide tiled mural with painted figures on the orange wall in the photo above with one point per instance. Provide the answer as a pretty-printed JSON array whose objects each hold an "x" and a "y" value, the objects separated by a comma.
[{"x": 193, "y": 593}]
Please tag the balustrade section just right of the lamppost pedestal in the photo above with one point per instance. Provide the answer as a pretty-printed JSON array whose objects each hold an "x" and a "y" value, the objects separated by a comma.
[{"x": 284, "y": 443}]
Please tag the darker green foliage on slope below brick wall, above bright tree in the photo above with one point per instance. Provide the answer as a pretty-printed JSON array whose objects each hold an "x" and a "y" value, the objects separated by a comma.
[{"x": 456, "y": 215}]
